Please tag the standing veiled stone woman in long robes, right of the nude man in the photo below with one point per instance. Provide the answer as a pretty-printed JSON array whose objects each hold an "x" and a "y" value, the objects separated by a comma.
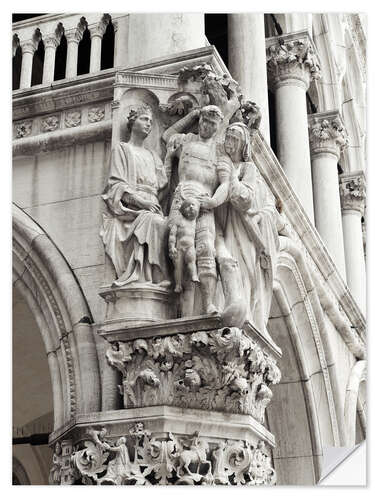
[{"x": 250, "y": 225}]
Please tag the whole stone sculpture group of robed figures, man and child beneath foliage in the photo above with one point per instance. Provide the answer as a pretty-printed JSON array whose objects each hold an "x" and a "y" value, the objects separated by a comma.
[{"x": 216, "y": 245}]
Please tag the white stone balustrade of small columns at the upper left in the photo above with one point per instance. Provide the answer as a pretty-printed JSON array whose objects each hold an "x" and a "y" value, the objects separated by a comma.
[{"x": 50, "y": 29}]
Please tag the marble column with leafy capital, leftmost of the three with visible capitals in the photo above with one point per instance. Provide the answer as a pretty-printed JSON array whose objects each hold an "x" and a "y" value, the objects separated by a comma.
[{"x": 292, "y": 63}]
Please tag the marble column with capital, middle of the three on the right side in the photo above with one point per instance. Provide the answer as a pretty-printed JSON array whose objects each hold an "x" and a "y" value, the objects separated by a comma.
[{"x": 327, "y": 139}]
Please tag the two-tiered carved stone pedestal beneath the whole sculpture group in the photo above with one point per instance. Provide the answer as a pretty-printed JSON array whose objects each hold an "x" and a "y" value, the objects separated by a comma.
[{"x": 194, "y": 397}]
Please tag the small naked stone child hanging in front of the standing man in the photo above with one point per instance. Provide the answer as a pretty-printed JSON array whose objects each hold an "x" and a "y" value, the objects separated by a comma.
[{"x": 182, "y": 242}]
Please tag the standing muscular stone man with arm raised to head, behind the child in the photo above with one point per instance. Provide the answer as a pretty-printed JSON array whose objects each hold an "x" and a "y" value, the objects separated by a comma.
[{"x": 199, "y": 178}]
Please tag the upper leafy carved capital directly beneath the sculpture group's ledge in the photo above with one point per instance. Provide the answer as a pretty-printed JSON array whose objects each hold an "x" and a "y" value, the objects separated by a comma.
[{"x": 221, "y": 370}]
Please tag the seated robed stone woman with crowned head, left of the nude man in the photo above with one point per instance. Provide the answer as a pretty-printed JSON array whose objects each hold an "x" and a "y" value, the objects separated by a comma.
[{"x": 134, "y": 233}]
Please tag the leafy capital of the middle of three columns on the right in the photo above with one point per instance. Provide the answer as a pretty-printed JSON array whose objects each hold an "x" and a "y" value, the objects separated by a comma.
[{"x": 327, "y": 133}]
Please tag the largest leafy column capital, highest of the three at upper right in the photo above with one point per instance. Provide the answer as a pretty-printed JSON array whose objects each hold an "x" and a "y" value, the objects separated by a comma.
[{"x": 292, "y": 58}]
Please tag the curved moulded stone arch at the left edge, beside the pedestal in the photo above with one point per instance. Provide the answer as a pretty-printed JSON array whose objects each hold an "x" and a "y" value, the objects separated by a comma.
[{"x": 45, "y": 280}]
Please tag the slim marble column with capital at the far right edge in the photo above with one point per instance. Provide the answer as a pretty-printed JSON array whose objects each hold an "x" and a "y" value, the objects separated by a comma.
[{"x": 353, "y": 194}]
